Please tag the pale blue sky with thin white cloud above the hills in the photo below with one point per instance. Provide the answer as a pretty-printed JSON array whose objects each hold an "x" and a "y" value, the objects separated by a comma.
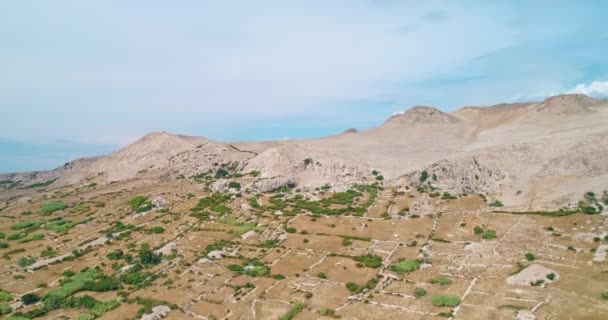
[{"x": 84, "y": 78}]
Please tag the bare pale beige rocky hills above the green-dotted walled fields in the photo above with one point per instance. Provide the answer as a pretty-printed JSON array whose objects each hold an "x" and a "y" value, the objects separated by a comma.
[{"x": 530, "y": 155}]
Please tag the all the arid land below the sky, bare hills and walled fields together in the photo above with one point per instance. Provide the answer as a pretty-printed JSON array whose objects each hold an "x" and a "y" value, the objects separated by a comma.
[{"x": 483, "y": 213}]
